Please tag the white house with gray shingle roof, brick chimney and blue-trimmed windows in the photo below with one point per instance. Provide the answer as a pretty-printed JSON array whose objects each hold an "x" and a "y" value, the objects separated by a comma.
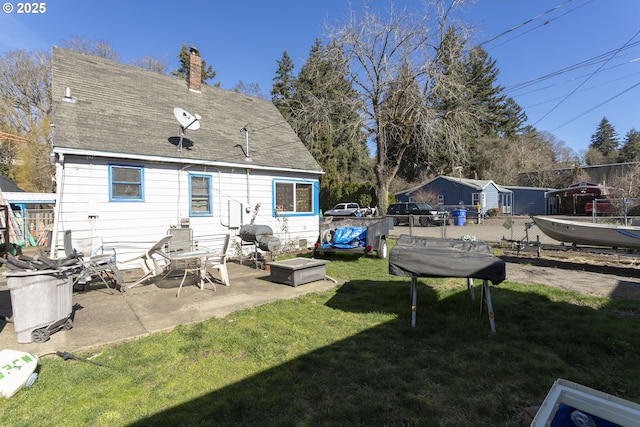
[{"x": 138, "y": 153}]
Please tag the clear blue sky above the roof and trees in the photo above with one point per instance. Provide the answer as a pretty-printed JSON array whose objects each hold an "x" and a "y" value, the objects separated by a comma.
[{"x": 597, "y": 41}]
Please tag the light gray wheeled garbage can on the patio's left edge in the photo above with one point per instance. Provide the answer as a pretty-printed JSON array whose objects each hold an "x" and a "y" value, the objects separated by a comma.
[{"x": 41, "y": 303}]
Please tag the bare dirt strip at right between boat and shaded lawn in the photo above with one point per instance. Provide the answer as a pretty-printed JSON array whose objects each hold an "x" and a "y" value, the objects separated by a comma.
[{"x": 589, "y": 272}]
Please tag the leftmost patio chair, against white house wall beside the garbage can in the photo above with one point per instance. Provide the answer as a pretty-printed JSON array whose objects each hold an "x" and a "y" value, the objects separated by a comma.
[{"x": 97, "y": 261}]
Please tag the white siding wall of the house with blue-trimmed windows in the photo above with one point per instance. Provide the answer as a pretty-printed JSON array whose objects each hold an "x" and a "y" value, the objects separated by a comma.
[{"x": 133, "y": 226}]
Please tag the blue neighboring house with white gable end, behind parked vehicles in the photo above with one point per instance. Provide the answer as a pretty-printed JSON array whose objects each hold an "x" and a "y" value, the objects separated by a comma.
[{"x": 451, "y": 192}]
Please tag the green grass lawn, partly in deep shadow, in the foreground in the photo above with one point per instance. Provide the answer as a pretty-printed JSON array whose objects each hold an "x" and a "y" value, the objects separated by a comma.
[{"x": 350, "y": 357}]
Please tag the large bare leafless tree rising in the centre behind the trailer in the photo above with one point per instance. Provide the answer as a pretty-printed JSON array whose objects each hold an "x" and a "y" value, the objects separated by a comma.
[{"x": 392, "y": 55}]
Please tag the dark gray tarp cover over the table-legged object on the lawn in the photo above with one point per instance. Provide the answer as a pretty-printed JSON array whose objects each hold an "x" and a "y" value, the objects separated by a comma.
[{"x": 430, "y": 257}]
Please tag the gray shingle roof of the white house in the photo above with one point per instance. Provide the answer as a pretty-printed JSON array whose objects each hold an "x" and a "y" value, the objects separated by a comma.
[{"x": 127, "y": 110}]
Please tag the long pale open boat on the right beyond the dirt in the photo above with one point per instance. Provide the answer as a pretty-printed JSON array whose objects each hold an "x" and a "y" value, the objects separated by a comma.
[{"x": 588, "y": 233}]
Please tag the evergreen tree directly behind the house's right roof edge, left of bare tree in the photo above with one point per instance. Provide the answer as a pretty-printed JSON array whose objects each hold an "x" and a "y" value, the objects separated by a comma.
[{"x": 324, "y": 115}]
